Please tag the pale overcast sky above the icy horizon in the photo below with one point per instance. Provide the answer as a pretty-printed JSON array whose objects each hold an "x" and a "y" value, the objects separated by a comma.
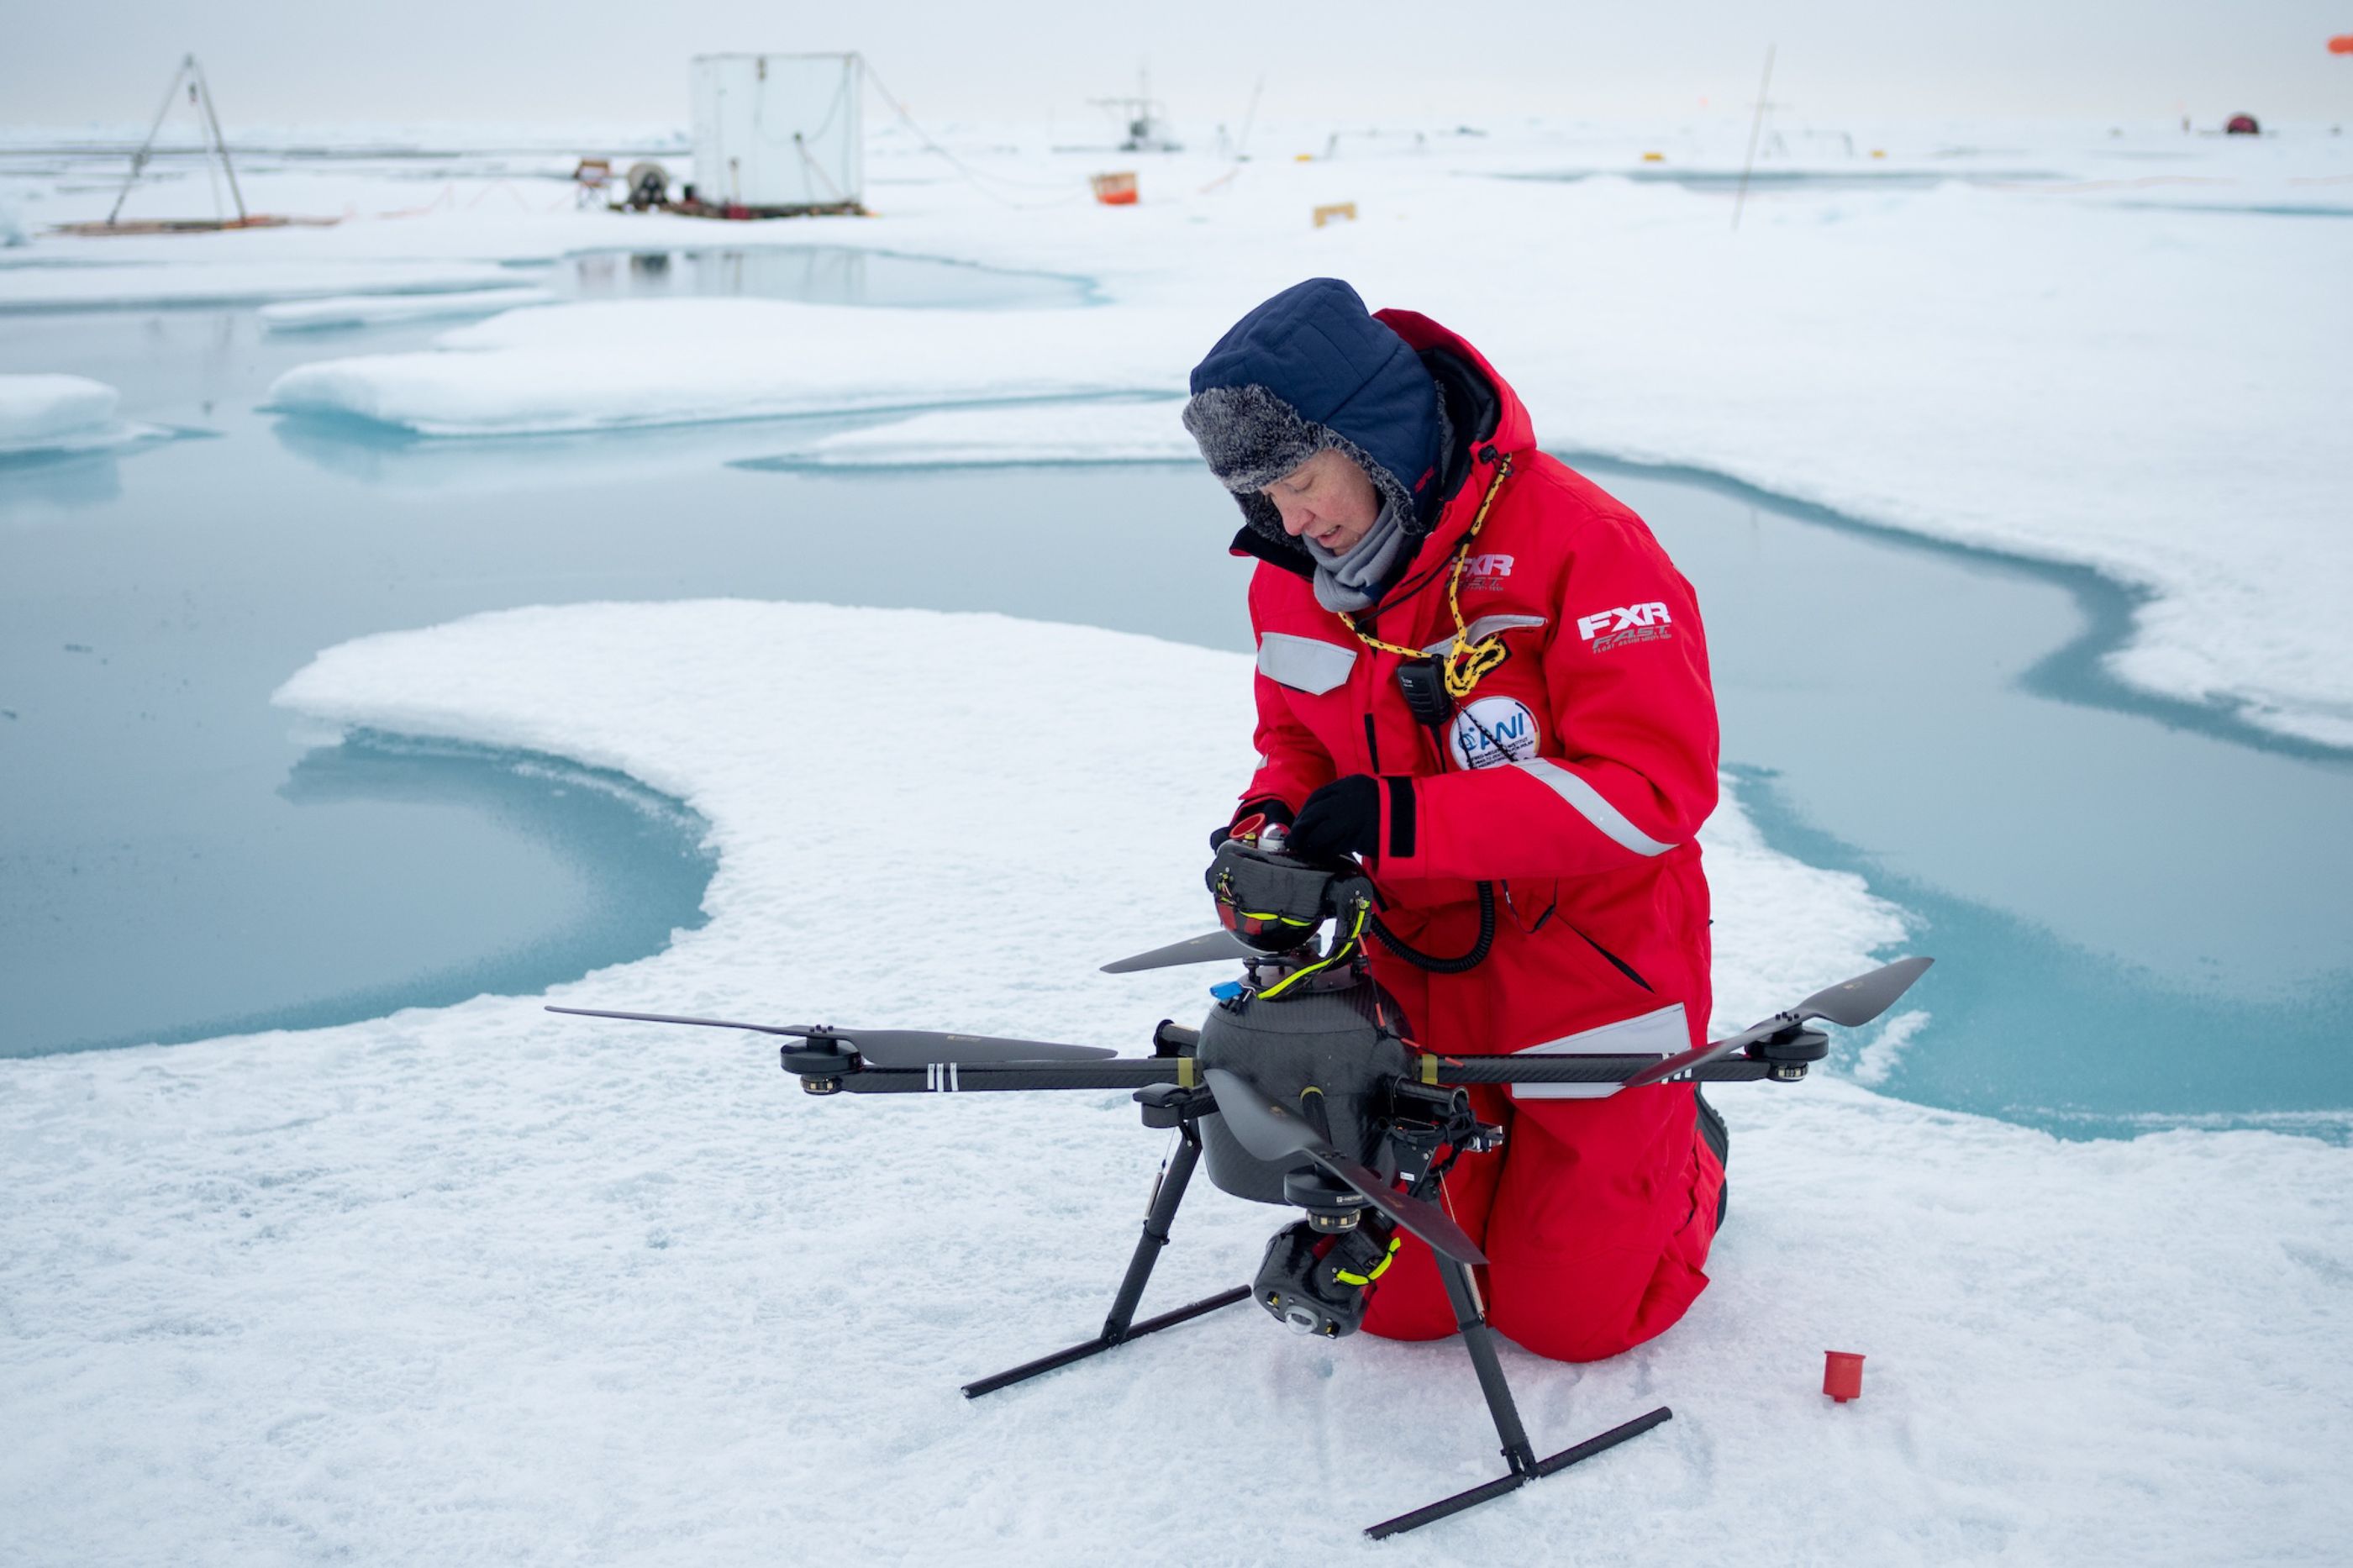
[{"x": 302, "y": 62}]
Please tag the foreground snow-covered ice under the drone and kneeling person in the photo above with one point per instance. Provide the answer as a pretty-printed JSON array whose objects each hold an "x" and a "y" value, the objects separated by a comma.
[{"x": 498, "y": 1287}]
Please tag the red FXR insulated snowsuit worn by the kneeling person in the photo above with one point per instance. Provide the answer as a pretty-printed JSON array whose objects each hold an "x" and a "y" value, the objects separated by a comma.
[{"x": 1573, "y": 778}]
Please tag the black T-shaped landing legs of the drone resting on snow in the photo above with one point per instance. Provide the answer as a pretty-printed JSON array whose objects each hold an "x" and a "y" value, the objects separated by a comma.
[{"x": 1121, "y": 1327}]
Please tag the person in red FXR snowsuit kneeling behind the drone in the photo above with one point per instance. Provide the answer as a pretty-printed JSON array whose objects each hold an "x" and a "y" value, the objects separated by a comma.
[{"x": 1404, "y": 517}]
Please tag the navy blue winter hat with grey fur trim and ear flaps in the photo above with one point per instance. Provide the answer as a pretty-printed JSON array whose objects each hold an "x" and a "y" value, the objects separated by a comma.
[{"x": 1305, "y": 373}]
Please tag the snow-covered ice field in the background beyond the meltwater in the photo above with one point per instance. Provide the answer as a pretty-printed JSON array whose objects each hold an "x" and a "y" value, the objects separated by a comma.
[{"x": 2093, "y": 350}]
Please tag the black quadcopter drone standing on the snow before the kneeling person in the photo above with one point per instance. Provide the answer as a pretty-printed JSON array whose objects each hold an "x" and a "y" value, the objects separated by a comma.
[{"x": 1302, "y": 1089}]
